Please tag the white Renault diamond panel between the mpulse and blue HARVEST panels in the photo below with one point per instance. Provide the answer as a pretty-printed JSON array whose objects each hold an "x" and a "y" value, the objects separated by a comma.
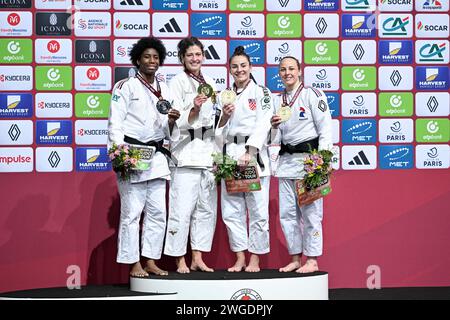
[{"x": 54, "y": 159}]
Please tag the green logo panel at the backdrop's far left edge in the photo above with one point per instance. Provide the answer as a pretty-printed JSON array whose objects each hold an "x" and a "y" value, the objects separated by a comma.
[{"x": 16, "y": 51}]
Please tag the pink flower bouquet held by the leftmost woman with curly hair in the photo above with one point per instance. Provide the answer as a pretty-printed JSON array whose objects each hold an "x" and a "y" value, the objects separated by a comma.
[{"x": 124, "y": 159}]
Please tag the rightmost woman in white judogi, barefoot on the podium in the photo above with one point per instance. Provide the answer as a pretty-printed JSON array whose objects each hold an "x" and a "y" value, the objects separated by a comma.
[{"x": 310, "y": 123}]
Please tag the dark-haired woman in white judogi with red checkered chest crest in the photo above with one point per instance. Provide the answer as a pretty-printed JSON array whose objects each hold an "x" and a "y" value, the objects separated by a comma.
[{"x": 244, "y": 127}]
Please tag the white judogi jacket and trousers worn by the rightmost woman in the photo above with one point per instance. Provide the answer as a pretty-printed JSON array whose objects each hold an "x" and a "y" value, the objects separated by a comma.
[{"x": 311, "y": 118}]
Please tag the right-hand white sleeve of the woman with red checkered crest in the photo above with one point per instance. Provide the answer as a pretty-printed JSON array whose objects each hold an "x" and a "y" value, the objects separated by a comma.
[{"x": 264, "y": 112}]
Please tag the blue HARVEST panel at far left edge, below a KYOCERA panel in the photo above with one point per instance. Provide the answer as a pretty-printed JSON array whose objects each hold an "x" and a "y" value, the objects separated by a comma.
[{"x": 16, "y": 105}]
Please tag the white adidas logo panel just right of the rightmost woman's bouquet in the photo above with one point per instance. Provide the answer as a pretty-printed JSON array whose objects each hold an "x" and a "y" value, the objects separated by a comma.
[{"x": 359, "y": 157}]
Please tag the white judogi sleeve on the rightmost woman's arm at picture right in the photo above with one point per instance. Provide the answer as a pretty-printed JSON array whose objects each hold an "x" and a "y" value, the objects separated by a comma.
[{"x": 322, "y": 117}]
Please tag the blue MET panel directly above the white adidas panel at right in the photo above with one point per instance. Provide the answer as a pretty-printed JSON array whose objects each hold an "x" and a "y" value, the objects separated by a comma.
[{"x": 359, "y": 131}]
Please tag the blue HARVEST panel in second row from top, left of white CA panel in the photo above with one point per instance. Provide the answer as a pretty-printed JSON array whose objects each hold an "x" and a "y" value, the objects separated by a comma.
[{"x": 358, "y": 26}]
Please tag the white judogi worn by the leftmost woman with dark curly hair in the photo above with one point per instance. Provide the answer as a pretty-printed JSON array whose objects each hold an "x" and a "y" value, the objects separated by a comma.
[{"x": 133, "y": 113}]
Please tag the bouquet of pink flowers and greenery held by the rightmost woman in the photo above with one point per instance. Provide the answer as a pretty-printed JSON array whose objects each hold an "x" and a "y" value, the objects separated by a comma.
[{"x": 318, "y": 168}]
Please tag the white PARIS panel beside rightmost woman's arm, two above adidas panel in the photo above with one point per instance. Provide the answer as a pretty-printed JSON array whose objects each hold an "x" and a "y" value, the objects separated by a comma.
[{"x": 359, "y": 104}]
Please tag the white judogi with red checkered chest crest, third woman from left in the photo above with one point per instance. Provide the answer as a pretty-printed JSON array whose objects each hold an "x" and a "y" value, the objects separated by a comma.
[{"x": 250, "y": 118}]
